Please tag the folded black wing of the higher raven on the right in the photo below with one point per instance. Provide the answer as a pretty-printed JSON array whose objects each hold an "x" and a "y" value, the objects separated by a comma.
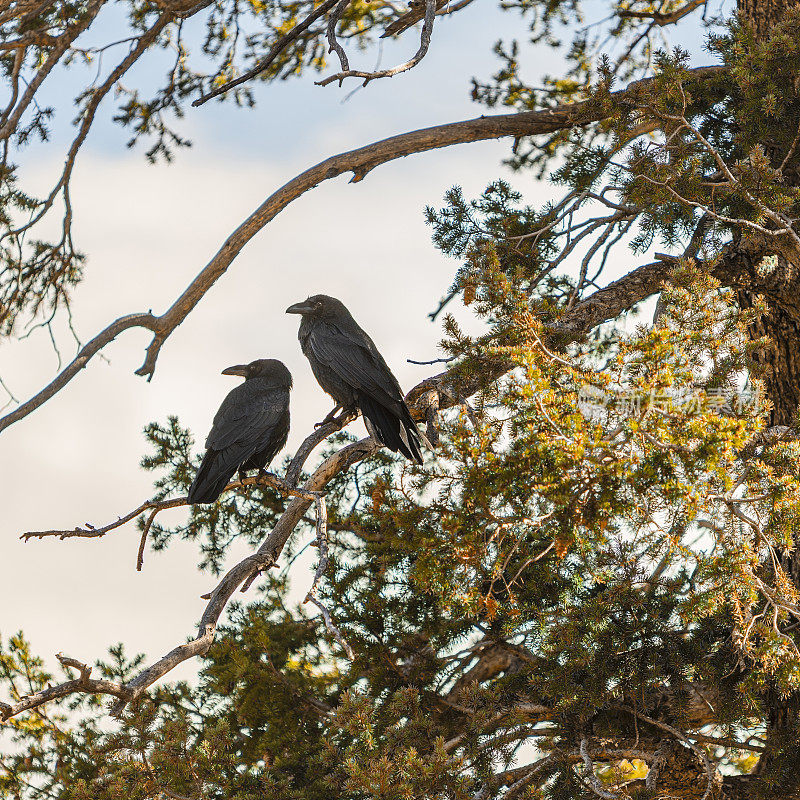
[{"x": 355, "y": 360}]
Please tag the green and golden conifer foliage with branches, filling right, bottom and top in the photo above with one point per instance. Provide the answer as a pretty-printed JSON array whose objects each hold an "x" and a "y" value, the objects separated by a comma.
[{"x": 592, "y": 588}]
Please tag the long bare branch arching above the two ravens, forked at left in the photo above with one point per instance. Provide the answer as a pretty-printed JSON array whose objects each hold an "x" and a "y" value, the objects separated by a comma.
[{"x": 360, "y": 162}]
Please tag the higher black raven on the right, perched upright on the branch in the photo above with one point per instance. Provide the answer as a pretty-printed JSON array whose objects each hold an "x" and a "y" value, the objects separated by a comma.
[{"x": 348, "y": 366}]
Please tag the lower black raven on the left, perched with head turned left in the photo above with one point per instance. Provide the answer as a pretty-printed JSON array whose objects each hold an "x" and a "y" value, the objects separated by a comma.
[{"x": 249, "y": 429}]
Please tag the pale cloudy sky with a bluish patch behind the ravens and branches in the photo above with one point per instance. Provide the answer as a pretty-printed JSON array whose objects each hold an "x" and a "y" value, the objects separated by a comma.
[{"x": 147, "y": 232}]
